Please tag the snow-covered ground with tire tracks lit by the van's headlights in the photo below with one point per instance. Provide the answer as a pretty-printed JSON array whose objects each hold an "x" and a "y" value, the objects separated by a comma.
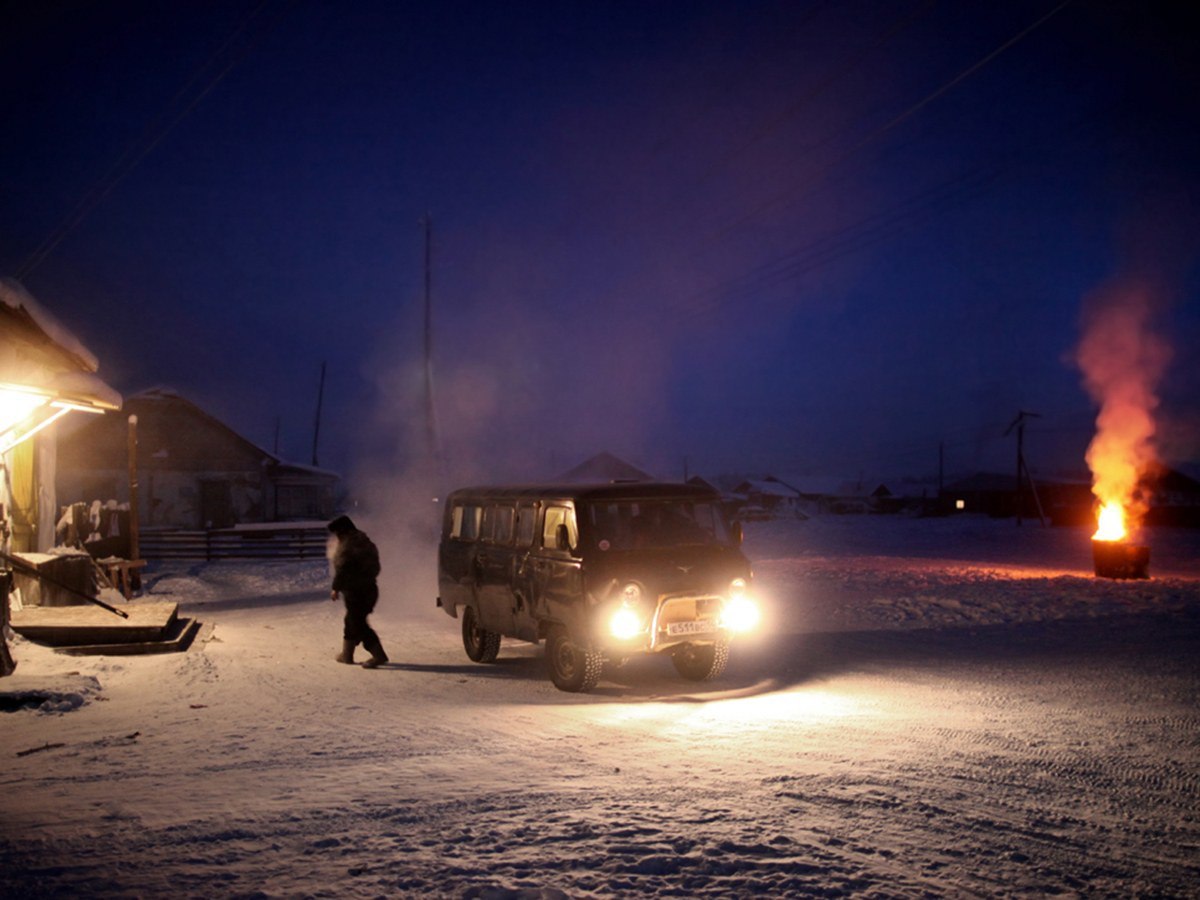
[{"x": 943, "y": 707}]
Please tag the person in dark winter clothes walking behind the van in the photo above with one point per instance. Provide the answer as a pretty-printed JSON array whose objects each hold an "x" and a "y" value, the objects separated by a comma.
[{"x": 356, "y": 562}]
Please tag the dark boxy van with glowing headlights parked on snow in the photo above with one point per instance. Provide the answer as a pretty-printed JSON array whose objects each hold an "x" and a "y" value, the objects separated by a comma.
[{"x": 599, "y": 573}]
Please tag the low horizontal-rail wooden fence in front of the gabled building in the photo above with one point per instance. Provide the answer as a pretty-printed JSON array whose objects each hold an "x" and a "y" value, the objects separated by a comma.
[{"x": 278, "y": 543}]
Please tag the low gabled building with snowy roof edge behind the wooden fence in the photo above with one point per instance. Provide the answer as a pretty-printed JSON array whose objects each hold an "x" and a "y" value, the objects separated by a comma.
[{"x": 194, "y": 471}]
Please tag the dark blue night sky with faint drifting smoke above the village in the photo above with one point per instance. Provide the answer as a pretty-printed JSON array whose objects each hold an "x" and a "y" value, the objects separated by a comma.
[{"x": 805, "y": 237}]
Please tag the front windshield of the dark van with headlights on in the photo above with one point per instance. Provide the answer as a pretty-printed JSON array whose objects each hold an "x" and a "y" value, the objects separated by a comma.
[{"x": 639, "y": 525}]
